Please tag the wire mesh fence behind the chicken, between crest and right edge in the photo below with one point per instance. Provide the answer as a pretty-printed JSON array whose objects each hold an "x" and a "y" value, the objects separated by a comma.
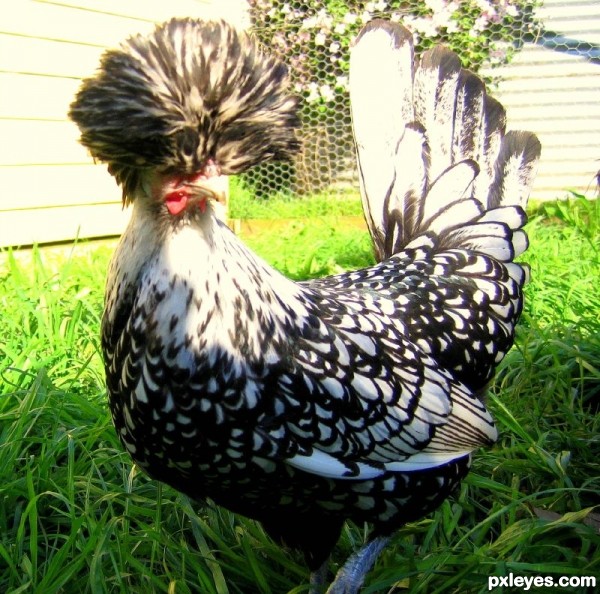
[{"x": 314, "y": 39}]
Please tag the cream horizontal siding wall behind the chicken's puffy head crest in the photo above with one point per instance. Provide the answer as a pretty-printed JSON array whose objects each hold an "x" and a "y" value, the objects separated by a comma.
[{"x": 50, "y": 190}]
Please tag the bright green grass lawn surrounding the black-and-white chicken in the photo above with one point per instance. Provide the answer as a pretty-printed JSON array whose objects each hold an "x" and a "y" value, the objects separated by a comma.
[{"x": 77, "y": 518}]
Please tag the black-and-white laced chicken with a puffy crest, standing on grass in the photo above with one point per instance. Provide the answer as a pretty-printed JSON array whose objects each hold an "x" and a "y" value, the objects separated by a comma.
[{"x": 303, "y": 405}]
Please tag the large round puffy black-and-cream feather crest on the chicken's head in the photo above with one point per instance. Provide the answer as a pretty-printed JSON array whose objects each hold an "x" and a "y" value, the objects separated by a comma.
[{"x": 191, "y": 91}]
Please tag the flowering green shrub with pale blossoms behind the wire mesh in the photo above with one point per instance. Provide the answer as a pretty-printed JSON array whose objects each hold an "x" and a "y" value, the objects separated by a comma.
[{"x": 314, "y": 37}]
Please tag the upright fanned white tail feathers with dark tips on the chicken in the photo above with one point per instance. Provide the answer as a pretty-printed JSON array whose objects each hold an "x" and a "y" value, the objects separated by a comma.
[{"x": 432, "y": 151}]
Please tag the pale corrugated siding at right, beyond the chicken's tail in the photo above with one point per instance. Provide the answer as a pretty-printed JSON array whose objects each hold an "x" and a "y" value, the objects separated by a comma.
[{"x": 553, "y": 89}]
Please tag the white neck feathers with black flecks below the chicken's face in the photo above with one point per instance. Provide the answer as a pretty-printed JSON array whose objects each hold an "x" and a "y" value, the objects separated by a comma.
[{"x": 215, "y": 289}]
